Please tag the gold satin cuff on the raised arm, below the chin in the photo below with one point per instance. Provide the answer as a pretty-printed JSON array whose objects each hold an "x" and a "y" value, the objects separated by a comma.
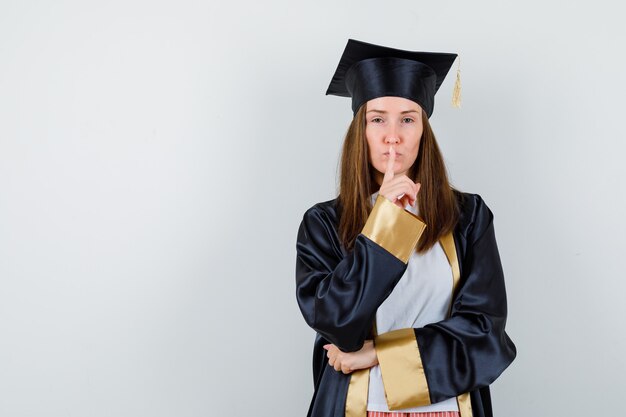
[{"x": 393, "y": 228}]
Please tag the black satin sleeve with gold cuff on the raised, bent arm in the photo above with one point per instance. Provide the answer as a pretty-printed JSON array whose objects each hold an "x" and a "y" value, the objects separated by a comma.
[{"x": 338, "y": 293}]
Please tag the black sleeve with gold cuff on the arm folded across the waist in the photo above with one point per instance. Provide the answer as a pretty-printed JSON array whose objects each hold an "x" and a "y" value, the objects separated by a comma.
[{"x": 464, "y": 352}]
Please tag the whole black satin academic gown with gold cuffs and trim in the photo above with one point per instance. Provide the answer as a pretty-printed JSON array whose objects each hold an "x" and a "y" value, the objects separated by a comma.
[{"x": 339, "y": 291}]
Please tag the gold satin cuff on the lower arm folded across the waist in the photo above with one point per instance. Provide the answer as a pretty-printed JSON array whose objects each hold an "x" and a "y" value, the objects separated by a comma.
[{"x": 402, "y": 371}]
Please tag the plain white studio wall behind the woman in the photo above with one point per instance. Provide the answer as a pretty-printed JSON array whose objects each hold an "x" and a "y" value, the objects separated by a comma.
[{"x": 156, "y": 159}]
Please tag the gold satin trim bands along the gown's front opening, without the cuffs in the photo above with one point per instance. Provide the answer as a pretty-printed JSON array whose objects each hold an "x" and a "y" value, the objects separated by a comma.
[{"x": 356, "y": 400}]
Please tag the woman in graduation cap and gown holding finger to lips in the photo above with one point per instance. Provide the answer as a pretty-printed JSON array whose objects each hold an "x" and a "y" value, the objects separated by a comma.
[{"x": 400, "y": 274}]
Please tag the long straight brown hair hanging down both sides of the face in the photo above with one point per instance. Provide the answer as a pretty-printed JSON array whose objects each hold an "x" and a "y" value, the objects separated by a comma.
[{"x": 437, "y": 203}]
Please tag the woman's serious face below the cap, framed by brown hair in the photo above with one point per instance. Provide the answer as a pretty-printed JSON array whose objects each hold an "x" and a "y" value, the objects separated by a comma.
[{"x": 396, "y": 122}]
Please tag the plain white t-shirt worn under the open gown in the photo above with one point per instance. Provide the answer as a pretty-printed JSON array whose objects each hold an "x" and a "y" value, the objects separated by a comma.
[{"x": 422, "y": 296}]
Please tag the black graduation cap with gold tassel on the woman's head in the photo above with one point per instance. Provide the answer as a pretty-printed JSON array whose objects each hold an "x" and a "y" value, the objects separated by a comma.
[{"x": 368, "y": 71}]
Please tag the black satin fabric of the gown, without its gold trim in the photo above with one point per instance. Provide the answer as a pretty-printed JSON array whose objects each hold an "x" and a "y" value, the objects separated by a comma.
[{"x": 338, "y": 293}]
